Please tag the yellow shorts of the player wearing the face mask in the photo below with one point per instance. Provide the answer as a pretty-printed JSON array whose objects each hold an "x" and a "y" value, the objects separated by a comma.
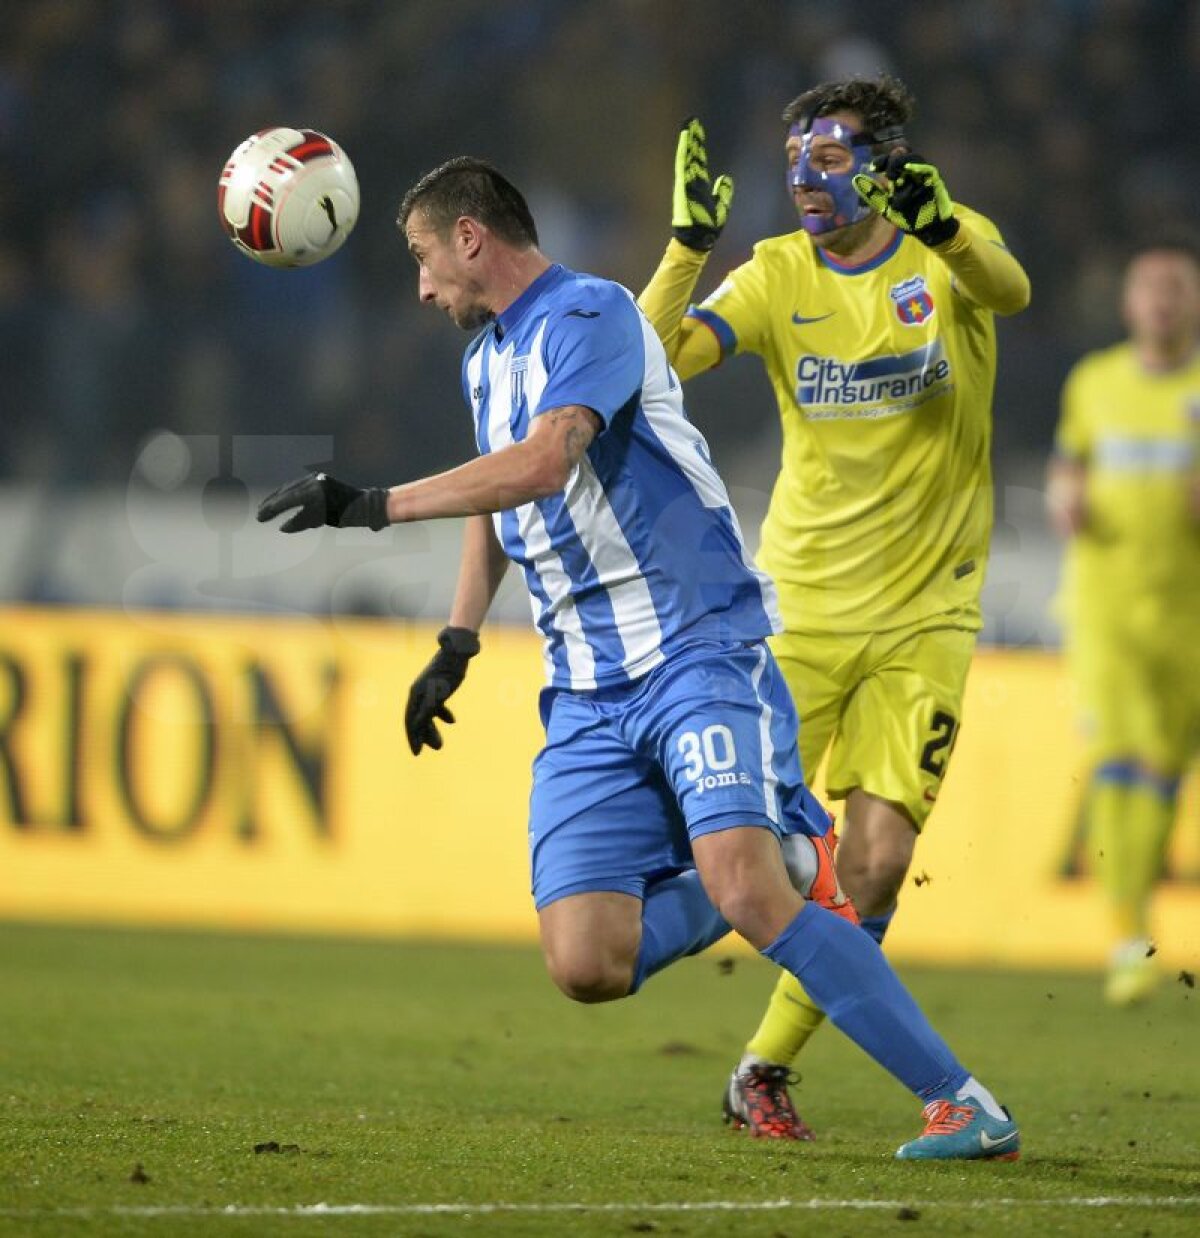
[{"x": 886, "y": 705}]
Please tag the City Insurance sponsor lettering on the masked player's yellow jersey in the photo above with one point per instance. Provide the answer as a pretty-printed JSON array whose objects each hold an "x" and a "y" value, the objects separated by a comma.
[{"x": 880, "y": 387}]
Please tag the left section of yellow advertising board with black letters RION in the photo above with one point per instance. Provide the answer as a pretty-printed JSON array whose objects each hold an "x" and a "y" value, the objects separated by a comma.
[{"x": 253, "y": 773}]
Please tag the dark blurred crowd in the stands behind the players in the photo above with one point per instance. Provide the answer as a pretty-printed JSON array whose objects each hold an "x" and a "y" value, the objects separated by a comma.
[{"x": 124, "y": 311}]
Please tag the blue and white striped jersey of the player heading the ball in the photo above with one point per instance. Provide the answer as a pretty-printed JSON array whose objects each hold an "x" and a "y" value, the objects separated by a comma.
[{"x": 641, "y": 554}]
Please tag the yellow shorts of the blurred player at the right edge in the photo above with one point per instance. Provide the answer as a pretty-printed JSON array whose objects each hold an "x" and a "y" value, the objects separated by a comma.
[{"x": 1140, "y": 698}]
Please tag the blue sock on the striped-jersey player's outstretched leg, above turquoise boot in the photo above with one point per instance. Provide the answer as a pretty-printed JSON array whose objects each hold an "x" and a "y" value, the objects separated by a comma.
[{"x": 849, "y": 979}]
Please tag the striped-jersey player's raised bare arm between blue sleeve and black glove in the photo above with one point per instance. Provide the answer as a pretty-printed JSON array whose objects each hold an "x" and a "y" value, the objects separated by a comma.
[{"x": 521, "y": 474}]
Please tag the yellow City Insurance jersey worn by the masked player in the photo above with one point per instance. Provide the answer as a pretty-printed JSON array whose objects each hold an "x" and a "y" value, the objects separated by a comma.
[{"x": 884, "y": 373}]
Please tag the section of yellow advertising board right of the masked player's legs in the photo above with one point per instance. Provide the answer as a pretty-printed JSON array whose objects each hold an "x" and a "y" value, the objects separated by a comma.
[{"x": 1000, "y": 875}]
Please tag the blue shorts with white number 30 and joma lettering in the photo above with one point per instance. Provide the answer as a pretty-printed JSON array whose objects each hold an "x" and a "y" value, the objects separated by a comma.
[{"x": 630, "y": 776}]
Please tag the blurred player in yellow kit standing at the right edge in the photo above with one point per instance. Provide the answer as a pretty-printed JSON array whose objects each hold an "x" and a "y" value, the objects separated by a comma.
[{"x": 1124, "y": 488}]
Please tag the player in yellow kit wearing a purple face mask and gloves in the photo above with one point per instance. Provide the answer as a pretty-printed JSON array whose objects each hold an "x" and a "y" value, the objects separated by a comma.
[{"x": 876, "y": 325}]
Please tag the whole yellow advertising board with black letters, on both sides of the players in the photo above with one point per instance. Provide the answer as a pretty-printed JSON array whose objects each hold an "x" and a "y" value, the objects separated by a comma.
[{"x": 253, "y": 774}]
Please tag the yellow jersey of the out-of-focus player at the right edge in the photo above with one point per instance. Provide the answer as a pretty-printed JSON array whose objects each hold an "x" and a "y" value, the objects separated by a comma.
[{"x": 1137, "y": 431}]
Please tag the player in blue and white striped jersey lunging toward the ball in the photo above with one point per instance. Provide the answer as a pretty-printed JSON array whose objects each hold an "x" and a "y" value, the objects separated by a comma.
[{"x": 668, "y": 803}]
